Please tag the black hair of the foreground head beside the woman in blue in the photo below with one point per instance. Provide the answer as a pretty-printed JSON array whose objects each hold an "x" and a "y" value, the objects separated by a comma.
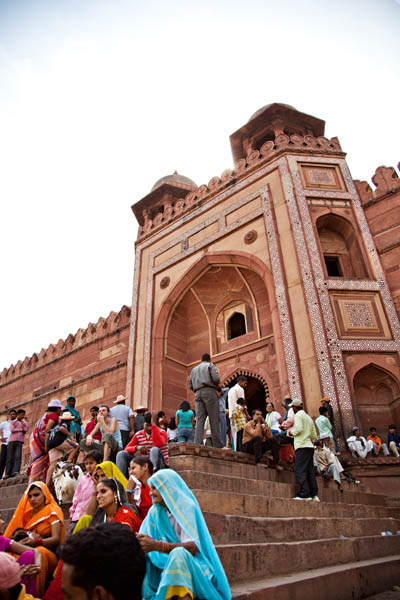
[{"x": 108, "y": 555}]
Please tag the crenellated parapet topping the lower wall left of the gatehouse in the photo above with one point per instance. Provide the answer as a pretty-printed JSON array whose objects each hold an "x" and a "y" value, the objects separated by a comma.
[{"x": 83, "y": 337}]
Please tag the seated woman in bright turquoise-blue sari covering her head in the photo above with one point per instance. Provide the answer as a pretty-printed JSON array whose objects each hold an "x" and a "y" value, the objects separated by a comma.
[{"x": 181, "y": 561}]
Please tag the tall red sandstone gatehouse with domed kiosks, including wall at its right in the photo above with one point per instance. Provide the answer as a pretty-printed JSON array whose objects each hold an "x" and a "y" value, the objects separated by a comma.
[{"x": 273, "y": 268}]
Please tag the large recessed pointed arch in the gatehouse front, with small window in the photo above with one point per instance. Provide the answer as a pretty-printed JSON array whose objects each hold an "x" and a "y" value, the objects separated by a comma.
[{"x": 197, "y": 318}]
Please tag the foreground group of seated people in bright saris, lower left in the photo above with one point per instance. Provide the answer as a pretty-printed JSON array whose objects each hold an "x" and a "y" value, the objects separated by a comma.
[{"x": 145, "y": 534}]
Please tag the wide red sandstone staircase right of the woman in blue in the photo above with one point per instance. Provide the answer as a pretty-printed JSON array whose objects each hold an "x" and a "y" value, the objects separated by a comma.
[{"x": 275, "y": 547}]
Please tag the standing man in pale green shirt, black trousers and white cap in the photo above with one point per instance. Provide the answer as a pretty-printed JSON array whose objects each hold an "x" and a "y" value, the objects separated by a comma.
[{"x": 304, "y": 433}]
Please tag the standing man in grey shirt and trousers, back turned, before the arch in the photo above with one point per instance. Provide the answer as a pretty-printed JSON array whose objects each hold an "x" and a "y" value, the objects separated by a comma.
[{"x": 204, "y": 382}]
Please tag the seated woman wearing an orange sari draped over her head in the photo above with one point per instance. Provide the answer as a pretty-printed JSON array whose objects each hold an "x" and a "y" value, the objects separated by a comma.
[{"x": 42, "y": 520}]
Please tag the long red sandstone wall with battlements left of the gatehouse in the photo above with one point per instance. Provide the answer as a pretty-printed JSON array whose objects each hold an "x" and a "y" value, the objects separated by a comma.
[{"x": 91, "y": 365}]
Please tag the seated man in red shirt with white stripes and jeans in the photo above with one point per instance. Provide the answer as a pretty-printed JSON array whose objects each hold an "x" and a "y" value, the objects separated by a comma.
[{"x": 150, "y": 441}]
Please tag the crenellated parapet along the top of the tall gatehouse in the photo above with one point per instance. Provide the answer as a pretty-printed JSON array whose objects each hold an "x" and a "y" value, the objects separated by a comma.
[{"x": 154, "y": 213}]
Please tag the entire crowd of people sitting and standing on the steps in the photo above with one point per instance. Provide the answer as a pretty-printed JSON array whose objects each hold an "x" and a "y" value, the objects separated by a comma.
[{"x": 130, "y": 507}]
